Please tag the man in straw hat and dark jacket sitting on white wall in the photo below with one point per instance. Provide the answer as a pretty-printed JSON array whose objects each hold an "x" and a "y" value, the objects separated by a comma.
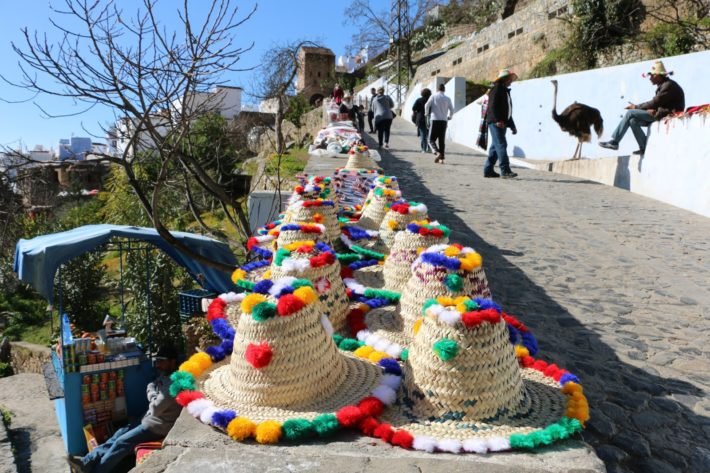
[{"x": 669, "y": 98}]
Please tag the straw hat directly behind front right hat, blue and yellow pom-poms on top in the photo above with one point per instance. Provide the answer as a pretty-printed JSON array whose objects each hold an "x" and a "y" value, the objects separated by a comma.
[{"x": 452, "y": 270}]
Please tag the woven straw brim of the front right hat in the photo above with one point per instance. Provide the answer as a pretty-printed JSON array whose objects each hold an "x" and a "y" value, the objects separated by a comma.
[{"x": 545, "y": 405}]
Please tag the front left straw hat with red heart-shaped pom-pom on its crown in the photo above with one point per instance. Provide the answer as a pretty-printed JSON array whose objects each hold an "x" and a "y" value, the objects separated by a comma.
[{"x": 286, "y": 379}]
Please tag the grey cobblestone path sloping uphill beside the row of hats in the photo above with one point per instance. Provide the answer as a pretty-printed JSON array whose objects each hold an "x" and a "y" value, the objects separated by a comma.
[{"x": 615, "y": 286}]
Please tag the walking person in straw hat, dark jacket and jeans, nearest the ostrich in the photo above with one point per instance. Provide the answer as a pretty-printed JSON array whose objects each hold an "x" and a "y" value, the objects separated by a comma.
[{"x": 499, "y": 117}]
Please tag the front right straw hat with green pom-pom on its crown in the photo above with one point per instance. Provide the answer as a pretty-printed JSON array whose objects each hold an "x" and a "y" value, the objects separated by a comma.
[{"x": 465, "y": 391}]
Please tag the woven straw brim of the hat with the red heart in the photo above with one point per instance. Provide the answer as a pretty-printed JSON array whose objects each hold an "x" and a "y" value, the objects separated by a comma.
[{"x": 361, "y": 377}]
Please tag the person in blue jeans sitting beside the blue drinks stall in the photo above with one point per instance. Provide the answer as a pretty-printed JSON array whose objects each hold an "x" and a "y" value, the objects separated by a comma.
[{"x": 162, "y": 413}]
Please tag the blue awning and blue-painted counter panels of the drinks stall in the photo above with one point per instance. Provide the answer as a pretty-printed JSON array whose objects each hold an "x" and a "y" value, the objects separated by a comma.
[{"x": 36, "y": 262}]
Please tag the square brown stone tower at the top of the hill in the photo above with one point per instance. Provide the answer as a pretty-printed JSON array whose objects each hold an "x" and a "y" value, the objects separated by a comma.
[{"x": 316, "y": 74}]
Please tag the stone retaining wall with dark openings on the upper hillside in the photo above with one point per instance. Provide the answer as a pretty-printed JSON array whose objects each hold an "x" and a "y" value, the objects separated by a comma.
[{"x": 518, "y": 42}]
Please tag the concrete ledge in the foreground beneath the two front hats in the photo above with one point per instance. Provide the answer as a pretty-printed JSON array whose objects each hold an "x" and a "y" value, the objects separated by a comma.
[{"x": 191, "y": 446}]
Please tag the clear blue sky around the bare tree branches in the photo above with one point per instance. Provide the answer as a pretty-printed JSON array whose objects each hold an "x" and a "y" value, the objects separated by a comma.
[{"x": 275, "y": 21}]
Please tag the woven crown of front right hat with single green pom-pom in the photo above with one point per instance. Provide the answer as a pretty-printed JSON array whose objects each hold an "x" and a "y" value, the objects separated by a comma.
[{"x": 477, "y": 380}]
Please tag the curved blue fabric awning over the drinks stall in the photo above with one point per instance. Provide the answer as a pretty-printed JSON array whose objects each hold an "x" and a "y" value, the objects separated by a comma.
[{"x": 37, "y": 260}]
